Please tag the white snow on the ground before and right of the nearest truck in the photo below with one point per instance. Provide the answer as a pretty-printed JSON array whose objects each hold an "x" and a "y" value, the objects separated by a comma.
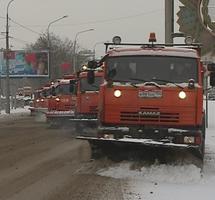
[{"x": 165, "y": 182}]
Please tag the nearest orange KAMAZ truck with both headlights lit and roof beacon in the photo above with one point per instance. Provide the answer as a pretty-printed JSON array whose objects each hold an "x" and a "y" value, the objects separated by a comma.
[{"x": 152, "y": 97}]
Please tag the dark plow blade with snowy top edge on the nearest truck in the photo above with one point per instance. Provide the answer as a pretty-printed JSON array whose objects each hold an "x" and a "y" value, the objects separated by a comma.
[{"x": 148, "y": 149}]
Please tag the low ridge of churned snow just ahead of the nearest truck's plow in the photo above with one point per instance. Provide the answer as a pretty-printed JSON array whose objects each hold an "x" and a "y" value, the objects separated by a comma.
[{"x": 155, "y": 173}]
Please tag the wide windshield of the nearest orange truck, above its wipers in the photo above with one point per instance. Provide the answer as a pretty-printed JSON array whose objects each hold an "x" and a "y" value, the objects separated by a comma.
[{"x": 152, "y": 68}]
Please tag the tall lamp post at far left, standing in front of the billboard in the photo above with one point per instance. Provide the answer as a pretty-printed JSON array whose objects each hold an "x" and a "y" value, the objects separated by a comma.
[{"x": 7, "y": 110}]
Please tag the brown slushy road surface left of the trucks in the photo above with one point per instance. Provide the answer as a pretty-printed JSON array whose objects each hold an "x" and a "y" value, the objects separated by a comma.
[{"x": 37, "y": 162}]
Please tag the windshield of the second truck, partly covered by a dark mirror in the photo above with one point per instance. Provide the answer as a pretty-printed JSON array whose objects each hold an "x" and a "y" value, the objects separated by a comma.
[{"x": 85, "y": 86}]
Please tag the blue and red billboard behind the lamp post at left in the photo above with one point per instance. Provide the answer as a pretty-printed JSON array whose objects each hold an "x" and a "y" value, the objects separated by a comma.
[{"x": 25, "y": 63}]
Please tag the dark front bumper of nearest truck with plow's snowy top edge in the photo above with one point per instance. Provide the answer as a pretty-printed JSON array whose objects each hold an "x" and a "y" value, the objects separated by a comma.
[{"x": 151, "y": 136}]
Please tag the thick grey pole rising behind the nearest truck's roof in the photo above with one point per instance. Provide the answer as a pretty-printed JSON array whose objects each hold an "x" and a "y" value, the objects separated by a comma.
[{"x": 169, "y": 21}]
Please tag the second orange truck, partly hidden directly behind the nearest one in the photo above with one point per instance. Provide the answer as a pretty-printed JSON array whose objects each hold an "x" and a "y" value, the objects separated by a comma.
[{"x": 86, "y": 108}]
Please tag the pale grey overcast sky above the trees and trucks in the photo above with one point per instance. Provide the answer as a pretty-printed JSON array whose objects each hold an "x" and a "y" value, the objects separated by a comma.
[{"x": 131, "y": 19}]
